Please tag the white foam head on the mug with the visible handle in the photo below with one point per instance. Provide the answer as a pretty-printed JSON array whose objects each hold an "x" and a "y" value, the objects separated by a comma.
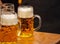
[{"x": 25, "y": 12}]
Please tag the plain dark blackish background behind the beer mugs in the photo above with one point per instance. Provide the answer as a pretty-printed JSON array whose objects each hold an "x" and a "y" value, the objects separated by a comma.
[{"x": 49, "y": 10}]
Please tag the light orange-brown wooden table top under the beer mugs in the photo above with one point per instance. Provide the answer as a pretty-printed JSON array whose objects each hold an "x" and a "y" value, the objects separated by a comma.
[{"x": 40, "y": 38}]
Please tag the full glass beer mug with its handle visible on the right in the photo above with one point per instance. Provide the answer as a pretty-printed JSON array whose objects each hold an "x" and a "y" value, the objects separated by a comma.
[{"x": 26, "y": 20}]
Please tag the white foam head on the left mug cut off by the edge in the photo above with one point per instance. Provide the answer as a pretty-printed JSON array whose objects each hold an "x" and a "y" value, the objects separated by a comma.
[{"x": 9, "y": 19}]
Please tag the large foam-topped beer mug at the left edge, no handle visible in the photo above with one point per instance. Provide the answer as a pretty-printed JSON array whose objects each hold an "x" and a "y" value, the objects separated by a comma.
[{"x": 9, "y": 26}]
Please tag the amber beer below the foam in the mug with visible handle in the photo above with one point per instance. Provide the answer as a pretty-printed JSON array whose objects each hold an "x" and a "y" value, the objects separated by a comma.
[{"x": 26, "y": 26}]
